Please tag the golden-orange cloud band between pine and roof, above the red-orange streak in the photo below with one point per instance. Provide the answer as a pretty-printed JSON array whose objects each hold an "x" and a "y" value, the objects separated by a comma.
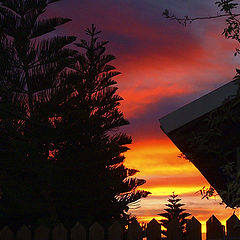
[{"x": 158, "y": 158}]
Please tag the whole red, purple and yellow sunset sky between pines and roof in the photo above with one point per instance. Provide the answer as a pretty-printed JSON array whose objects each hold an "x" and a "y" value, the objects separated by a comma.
[{"x": 164, "y": 65}]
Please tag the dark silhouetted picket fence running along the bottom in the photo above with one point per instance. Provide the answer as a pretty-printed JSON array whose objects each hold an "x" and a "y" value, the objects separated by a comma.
[{"x": 134, "y": 231}]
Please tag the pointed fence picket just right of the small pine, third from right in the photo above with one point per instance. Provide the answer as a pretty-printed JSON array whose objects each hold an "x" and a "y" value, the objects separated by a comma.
[{"x": 193, "y": 229}]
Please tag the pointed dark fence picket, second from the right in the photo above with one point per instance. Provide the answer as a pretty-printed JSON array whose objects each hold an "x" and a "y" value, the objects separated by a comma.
[{"x": 215, "y": 230}]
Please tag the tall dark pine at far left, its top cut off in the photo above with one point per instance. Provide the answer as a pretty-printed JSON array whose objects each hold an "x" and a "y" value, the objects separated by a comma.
[{"x": 29, "y": 71}]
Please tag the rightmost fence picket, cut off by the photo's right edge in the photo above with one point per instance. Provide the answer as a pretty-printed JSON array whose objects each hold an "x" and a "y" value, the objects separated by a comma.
[{"x": 233, "y": 228}]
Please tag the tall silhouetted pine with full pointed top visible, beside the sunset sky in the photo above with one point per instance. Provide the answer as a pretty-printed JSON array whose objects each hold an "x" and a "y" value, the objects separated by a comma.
[{"x": 91, "y": 147}]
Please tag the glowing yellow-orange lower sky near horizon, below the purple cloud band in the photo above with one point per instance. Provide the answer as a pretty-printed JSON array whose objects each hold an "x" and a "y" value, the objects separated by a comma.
[{"x": 158, "y": 163}]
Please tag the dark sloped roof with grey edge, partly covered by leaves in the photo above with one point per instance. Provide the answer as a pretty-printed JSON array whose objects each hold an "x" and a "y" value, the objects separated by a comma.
[{"x": 184, "y": 123}]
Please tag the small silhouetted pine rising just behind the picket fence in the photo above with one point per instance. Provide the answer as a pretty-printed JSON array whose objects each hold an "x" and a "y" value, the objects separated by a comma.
[{"x": 174, "y": 210}]
